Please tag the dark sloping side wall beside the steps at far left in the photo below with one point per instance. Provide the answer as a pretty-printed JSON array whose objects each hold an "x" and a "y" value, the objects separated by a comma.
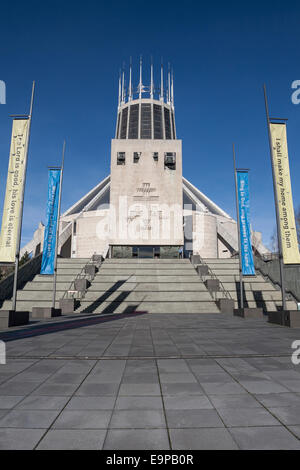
[{"x": 26, "y": 273}]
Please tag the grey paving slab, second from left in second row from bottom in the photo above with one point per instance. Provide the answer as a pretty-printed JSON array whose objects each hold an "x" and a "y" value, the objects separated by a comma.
[{"x": 83, "y": 419}]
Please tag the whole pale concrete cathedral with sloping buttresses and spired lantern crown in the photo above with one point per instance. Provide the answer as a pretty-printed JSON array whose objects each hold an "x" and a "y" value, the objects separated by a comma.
[{"x": 145, "y": 208}]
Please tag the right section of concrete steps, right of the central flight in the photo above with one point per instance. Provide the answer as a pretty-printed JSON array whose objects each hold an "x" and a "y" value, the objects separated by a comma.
[{"x": 258, "y": 291}]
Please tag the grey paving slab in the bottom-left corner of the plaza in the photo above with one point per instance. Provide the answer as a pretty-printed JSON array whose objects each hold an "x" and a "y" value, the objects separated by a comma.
[{"x": 17, "y": 439}]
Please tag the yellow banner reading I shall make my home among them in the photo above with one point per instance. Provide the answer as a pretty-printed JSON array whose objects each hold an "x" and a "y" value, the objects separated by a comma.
[{"x": 281, "y": 167}]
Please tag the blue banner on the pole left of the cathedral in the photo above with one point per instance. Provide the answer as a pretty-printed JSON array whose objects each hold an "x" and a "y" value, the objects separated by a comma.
[{"x": 48, "y": 259}]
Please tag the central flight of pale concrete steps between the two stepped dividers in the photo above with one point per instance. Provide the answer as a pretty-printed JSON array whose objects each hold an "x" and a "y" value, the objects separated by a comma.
[{"x": 149, "y": 285}]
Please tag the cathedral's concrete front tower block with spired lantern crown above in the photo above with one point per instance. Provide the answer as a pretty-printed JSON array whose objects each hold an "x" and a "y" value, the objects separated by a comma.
[{"x": 146, "y": 171}]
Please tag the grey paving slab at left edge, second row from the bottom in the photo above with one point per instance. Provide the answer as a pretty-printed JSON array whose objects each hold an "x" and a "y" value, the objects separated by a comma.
[{"x": 28, "y": 419}]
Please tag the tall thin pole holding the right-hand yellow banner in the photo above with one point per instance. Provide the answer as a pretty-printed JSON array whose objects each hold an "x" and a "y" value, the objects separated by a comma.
[{"x": 279, "y": 239}]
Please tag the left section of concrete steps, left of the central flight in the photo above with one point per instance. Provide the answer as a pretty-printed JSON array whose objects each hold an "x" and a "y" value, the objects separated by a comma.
[{"x": 38, "y": 292}]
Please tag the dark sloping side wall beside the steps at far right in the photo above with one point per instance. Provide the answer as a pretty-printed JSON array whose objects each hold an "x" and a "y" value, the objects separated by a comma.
[{"x": 270, "y": 268}]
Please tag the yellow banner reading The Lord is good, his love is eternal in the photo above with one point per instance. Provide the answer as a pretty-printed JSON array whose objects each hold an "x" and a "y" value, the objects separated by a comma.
[{"x": 14, "y": 185}]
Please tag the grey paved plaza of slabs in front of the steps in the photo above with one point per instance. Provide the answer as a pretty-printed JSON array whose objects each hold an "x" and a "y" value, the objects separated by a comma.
[{"x": 142, "y": 381}]
